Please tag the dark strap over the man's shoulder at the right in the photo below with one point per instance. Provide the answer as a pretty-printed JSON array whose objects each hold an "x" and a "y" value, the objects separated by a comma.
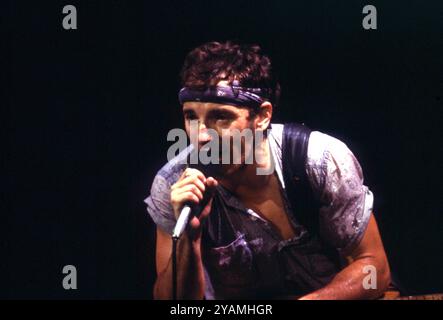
[{"x": 294, "y": 154}]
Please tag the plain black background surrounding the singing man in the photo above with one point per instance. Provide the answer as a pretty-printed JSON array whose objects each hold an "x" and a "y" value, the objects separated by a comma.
[{"x": 87, "y": 112}]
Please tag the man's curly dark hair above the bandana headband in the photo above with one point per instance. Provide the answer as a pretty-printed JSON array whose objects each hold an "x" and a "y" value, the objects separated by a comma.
[{"x": 212, "y": 62}]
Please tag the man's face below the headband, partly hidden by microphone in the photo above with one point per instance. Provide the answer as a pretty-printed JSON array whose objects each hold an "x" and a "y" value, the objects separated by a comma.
[{"x": 225, "y": 120}]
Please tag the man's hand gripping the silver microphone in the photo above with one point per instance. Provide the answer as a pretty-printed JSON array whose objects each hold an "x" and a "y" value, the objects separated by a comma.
[{"x": 191, "y": 198}]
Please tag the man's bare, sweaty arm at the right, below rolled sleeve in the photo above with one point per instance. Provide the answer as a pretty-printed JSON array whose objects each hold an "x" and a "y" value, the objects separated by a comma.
[{"x": 348, "y": 284}]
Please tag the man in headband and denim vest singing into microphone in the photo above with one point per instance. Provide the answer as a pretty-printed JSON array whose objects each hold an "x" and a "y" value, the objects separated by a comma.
[{"x": 251, "y": 238}]
